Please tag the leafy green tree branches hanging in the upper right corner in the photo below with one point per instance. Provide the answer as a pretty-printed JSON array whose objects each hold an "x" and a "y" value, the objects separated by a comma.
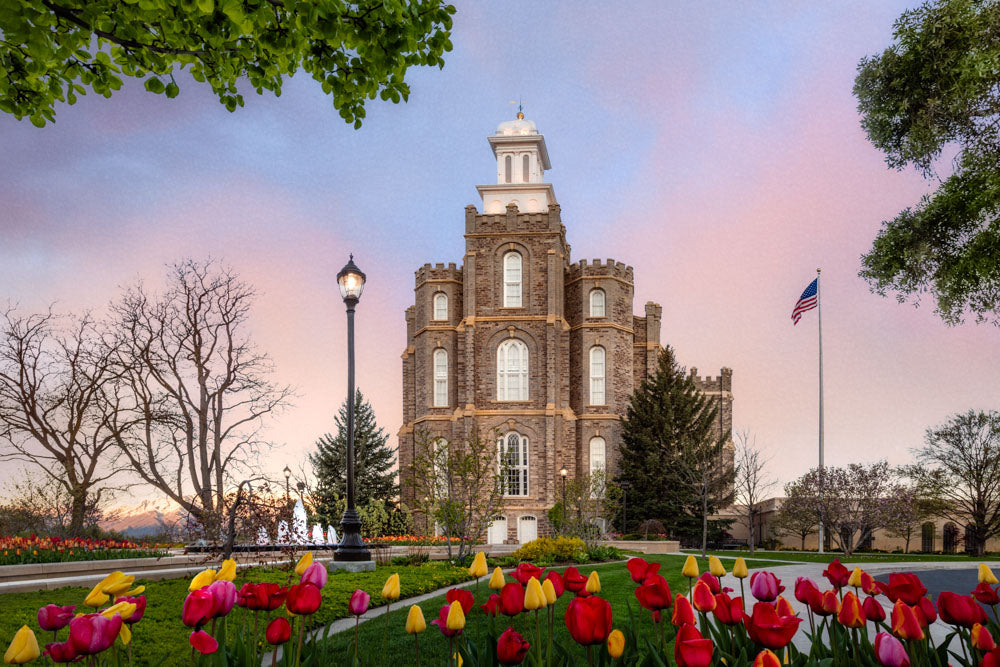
[{"x": 936, "y": 89}]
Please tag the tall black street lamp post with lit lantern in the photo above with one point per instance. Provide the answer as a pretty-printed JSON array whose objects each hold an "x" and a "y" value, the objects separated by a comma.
[{"x": 352, "y": 547}]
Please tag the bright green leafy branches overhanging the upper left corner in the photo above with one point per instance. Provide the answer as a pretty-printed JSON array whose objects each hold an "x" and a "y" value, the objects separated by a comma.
[{"x": 53, "y": 50}]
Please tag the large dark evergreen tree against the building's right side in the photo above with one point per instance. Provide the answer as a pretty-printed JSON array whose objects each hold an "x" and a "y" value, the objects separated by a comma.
[{"x": 670, "y": 454}]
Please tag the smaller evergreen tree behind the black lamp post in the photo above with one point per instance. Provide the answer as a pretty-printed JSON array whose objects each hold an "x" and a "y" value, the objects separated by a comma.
[{"x": 374, "y": 478}]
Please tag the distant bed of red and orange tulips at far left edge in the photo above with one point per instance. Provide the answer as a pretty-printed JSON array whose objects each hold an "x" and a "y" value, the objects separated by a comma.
[{"x": 34, "y": 549}]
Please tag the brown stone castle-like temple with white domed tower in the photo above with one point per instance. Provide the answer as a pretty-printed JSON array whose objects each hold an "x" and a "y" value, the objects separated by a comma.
[{"x": 522, "y": 341}]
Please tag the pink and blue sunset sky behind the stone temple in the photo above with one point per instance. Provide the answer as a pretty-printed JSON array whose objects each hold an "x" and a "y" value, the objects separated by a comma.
[{"x": 714, "y": 147}]
